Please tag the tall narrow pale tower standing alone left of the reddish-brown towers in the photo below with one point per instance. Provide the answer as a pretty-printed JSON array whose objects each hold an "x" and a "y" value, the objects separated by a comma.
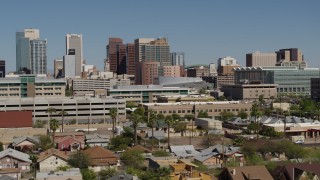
[{"x": 74, "y": 47}]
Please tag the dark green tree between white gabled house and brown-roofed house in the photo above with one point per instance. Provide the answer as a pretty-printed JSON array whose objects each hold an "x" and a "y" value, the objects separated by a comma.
[{"x": 79, "y": 160}]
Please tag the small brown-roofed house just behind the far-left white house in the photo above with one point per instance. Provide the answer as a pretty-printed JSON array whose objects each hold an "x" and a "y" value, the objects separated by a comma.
[{"x": 24, "y": 143}]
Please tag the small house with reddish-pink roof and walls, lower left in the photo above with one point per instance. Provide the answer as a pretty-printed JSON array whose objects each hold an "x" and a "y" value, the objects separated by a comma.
[{"x": 70, "y": 141}]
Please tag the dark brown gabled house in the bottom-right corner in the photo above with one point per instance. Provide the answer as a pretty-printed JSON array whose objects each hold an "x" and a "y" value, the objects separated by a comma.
[{"x": 297, "y": 171}]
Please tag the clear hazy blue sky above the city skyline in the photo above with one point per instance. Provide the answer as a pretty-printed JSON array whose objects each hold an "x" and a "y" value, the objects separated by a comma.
[{"x": 204, "y": 29}]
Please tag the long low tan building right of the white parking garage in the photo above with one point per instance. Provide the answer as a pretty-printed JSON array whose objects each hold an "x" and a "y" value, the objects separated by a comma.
[{"x": 213, "y": 109}]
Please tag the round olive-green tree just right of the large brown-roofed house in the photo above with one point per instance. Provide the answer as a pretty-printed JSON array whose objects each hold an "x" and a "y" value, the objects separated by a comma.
[{"x": 132, "y": 158}]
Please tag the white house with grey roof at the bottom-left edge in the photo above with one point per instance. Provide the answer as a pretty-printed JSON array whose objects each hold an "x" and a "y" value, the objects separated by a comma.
[{"x": 11, "y": 158}]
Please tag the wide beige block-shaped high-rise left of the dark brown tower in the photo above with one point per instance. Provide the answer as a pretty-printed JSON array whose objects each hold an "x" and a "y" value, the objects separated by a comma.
[{"x": 259, "y": 59}]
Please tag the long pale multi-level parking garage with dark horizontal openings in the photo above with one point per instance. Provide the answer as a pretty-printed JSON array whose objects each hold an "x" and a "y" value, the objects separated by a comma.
[{"x": 81, "y": 109}]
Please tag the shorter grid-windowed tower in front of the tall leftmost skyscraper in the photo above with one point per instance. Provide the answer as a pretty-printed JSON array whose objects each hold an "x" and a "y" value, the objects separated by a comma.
[{"x": 38, "y": 49}]
